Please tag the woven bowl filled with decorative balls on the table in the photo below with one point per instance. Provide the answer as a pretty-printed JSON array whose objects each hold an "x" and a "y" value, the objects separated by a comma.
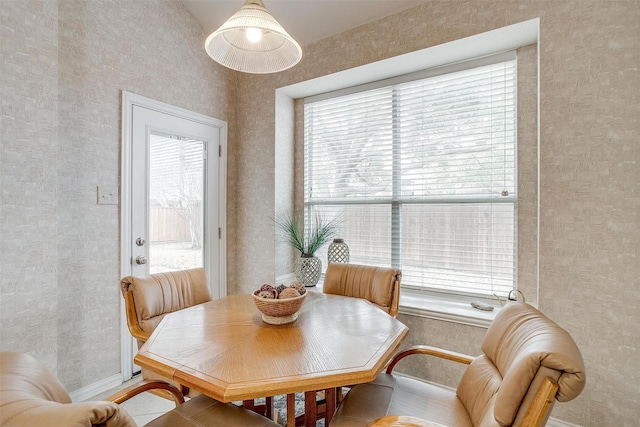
[{"x": 279, "y": 305}]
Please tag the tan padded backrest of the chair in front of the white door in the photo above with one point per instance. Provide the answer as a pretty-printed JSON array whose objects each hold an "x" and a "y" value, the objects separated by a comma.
[{"x": 149, "y": 298}]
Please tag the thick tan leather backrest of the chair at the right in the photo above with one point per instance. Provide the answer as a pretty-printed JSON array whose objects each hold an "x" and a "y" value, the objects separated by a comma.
[{"x": 524, "y": 352}]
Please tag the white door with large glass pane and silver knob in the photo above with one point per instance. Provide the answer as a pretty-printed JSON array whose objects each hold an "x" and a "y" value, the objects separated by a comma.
[{"x": 172, "y": 195}]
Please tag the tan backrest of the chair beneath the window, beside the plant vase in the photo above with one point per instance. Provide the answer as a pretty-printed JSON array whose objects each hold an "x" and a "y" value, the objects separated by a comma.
[{"x": 379, "y": 285}]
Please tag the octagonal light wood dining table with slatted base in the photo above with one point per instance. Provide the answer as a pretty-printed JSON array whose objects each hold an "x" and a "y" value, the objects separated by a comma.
[{"x": 225, "y": 350}]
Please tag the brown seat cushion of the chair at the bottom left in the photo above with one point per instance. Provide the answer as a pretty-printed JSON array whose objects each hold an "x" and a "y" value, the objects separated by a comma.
[{"x": 204, "y": 411}]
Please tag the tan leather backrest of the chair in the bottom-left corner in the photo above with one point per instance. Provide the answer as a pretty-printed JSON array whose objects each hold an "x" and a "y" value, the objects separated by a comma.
[{"x": 30, "y": 395}]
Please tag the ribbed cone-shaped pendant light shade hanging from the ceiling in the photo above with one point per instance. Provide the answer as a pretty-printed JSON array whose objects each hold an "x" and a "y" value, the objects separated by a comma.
[{"x": 252, "y": 41}]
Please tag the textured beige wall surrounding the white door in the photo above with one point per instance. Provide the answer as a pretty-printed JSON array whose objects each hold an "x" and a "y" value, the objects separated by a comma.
[{"x": 64, "y": 65}]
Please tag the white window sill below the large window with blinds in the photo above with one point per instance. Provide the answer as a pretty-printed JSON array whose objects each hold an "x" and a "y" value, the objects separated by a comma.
[{"x": 456, "y": 309}]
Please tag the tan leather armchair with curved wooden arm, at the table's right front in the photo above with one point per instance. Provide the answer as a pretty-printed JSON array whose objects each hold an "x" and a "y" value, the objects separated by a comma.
[{"x": 528, "y": 362}]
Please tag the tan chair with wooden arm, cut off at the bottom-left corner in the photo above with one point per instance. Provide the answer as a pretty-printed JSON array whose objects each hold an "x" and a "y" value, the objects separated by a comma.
[{"x": 30, "y": 395}]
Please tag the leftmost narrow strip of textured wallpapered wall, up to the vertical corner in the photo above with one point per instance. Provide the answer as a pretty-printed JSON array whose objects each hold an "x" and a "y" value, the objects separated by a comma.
[{"x": 28, "y": 179}]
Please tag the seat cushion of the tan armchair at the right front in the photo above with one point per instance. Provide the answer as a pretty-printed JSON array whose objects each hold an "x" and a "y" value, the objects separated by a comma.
[{"x": 398, "y": 395}]
